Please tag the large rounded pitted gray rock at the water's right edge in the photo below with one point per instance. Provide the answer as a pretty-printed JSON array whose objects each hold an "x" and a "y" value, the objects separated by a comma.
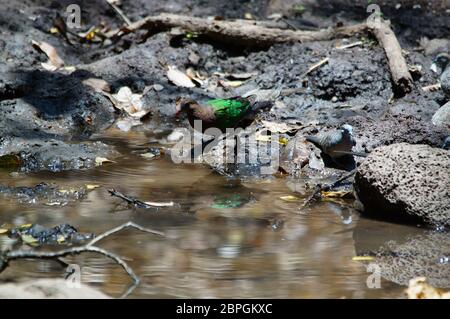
[{"x": 406, "y": 181}]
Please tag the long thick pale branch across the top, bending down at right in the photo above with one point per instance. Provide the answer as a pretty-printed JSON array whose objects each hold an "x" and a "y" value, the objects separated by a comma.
[{"x": 236, "y": 32}]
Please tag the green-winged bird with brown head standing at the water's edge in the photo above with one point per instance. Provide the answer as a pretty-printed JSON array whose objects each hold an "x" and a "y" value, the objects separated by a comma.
[{"x": 222, "y": 113}]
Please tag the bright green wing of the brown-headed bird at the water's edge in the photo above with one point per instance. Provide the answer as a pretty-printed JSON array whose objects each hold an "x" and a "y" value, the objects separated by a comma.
[{"x": 228, "y": 112}]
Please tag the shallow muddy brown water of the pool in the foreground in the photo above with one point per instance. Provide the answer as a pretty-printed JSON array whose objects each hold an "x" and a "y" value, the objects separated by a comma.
[{"x": 265, "y": 247}]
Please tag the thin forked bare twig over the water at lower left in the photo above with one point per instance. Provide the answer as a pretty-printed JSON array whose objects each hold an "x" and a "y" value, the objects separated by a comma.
[{"x": 7, "y": 256}]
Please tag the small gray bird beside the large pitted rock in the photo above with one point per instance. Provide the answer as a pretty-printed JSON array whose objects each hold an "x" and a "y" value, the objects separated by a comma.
[{"x": 336, "y": 143}]
